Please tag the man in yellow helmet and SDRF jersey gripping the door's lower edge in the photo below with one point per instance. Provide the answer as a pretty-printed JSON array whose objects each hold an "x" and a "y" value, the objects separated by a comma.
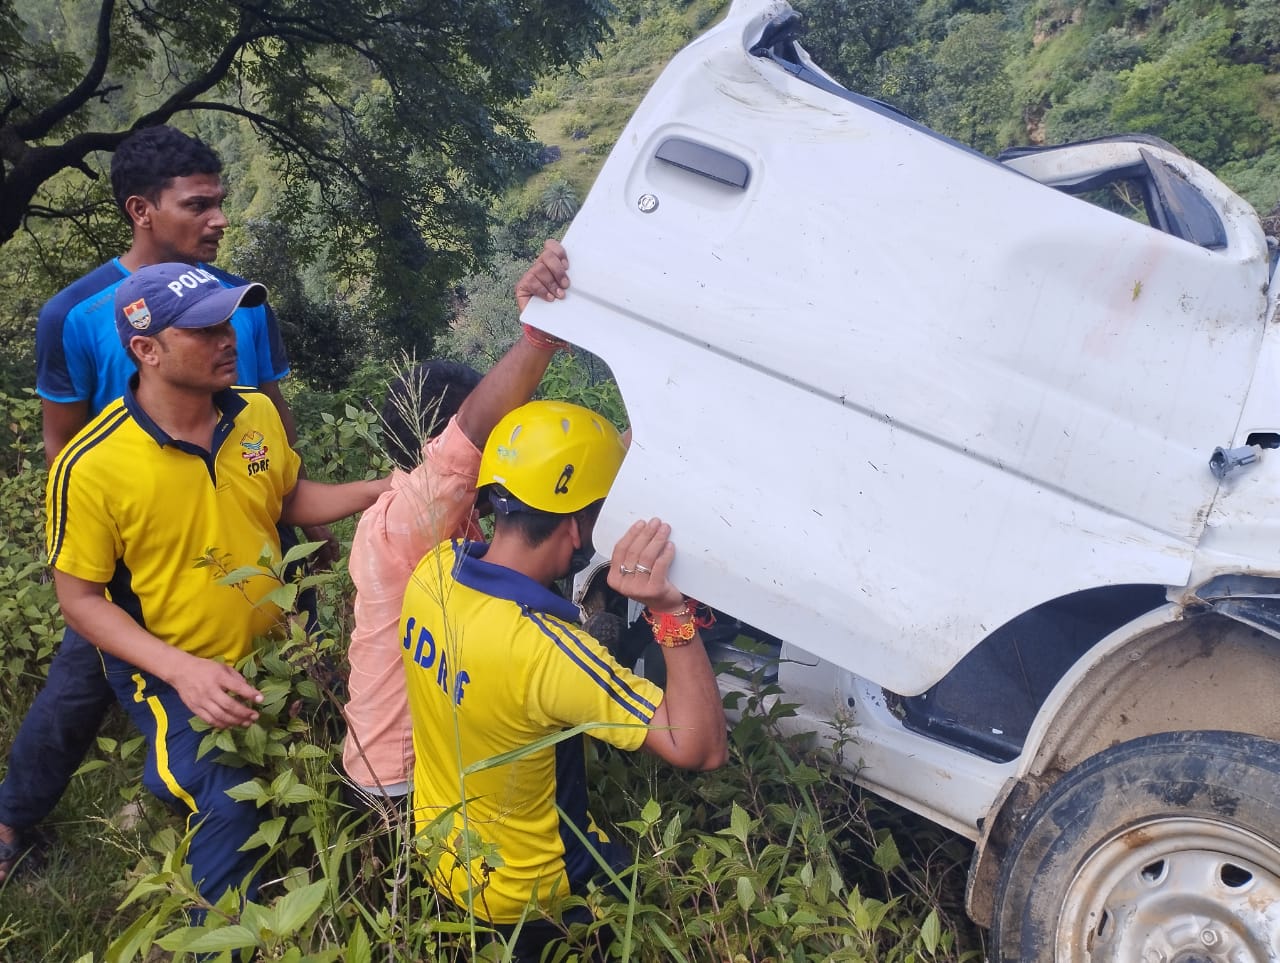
[{"x": 496, "y": 659}]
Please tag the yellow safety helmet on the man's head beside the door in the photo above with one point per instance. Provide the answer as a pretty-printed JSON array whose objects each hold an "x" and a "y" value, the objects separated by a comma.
[{"x": 552, "y": 457}]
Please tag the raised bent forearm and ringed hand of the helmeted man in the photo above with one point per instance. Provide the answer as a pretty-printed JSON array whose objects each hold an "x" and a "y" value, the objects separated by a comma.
[{"x": 689, "y": 728}]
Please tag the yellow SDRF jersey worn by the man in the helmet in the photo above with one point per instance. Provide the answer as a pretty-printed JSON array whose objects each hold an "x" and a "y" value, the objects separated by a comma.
[{"x": 495, "y": 661}]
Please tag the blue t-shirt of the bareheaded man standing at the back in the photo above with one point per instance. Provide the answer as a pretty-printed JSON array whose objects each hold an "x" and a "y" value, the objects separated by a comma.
[{"x": 80, "y": 357}]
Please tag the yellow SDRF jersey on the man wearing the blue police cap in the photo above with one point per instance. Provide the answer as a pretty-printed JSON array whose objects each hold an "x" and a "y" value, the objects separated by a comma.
[{"x": 134, "y": 509}]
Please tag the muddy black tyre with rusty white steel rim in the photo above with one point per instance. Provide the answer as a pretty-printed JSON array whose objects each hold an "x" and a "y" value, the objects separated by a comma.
[{"x": 1165, "y": 850}]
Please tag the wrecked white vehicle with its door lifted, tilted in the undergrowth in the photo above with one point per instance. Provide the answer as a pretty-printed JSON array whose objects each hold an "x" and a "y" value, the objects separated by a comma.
[{"x": 994, "y": 463}]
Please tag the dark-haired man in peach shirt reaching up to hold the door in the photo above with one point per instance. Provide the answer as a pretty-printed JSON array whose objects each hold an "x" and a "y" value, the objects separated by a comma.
[{"x": 427, "y": 505}]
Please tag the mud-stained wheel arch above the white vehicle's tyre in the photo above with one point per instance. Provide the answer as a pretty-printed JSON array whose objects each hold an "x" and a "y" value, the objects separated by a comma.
[{"x": 1203, "y": 672}]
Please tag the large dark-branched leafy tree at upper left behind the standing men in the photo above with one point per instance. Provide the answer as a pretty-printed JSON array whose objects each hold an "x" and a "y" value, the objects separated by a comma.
[{"x": 388, "y": 129}]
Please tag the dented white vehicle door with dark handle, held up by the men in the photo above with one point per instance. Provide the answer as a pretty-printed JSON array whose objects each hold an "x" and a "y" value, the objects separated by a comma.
[{"x": 888, "y": 392}]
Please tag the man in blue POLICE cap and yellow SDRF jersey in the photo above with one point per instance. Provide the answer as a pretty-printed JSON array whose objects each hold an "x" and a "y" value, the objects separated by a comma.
[{"x": 182, "y": 464}]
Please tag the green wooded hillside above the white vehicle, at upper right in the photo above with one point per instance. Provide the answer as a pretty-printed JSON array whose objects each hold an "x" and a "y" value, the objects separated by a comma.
[{"x": 1204, "y": 75}]
